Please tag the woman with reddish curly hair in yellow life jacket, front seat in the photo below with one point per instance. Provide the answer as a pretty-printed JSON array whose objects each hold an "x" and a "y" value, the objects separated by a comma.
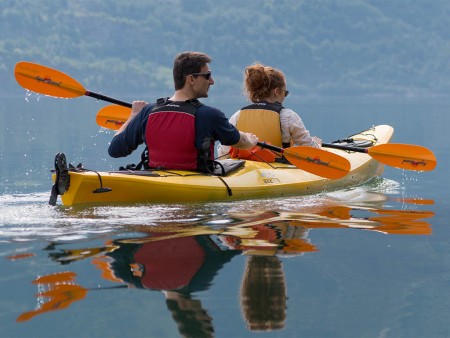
[{"x": 266, "y": 117}]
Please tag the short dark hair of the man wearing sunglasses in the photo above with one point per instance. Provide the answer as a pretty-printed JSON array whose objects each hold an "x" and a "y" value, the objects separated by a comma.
[{"x": 188, "y": 63}]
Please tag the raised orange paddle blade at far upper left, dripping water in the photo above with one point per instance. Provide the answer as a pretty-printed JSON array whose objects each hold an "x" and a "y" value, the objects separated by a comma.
[{"x": 47, "y": 81}]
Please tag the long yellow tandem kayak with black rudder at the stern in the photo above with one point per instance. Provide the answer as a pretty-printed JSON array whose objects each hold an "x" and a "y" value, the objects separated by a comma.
[{"x": 246, "y": 180}]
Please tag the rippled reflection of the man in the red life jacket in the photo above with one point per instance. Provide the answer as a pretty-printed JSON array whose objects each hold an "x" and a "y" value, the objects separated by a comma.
[{"x": 176, "y": 266}]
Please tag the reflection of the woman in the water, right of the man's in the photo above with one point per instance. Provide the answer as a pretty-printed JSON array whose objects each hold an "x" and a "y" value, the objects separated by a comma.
[{"x": 263, "y": 290}]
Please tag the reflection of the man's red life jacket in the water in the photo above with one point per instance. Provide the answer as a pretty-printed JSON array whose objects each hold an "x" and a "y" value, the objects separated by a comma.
[{"x": 166, "y": 264}]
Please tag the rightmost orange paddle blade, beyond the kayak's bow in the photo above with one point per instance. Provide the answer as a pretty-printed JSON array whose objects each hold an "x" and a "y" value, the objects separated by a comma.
[{"x": 404, "y": 156}]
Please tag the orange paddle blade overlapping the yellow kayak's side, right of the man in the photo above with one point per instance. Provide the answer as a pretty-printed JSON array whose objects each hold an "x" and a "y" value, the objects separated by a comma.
[{"x": 318, "y": 162}]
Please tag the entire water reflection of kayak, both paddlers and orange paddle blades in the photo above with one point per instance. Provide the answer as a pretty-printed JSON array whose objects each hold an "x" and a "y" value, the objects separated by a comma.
[{"x": 181, "y": 260}]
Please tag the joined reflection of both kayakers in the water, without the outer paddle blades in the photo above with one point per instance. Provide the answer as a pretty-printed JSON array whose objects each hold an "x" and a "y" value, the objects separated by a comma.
[{"x": 182, "y": 261}]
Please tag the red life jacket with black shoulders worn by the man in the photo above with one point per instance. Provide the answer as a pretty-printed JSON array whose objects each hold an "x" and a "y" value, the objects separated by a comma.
[{"x": 170, "y": 137}]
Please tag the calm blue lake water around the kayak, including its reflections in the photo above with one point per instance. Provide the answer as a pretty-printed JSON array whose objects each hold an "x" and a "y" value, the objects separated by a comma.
[{"x": 369, "y": 261}]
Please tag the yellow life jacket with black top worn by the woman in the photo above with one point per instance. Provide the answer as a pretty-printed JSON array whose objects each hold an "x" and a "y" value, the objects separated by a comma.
[{"x": 263, "y": 120}]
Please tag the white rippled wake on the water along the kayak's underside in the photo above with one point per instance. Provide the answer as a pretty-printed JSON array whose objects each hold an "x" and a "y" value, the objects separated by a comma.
[{"x": 26, "y": 217}]
